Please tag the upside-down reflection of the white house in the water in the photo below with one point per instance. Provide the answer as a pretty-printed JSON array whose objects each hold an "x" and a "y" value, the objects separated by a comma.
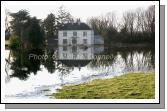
[{"x": 75, "y": 56}]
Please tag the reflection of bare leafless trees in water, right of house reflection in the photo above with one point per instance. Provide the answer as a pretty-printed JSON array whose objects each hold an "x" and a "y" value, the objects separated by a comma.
[{"x": 130, "y": 59}]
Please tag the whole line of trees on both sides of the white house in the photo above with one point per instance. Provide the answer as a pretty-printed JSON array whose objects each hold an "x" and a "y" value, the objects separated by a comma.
[{"x": 135, "y": 27}]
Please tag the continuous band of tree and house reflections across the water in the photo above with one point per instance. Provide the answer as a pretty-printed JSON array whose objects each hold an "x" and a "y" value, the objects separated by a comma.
[{"x": 133, "y": 59}]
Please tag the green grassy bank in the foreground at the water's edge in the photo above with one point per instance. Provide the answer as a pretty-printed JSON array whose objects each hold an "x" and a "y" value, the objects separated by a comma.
[{"x": 128, "y": 86}]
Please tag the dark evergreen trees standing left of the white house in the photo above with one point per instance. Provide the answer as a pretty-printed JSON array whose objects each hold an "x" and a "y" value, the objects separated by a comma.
[{"x": 25, "y": 31}]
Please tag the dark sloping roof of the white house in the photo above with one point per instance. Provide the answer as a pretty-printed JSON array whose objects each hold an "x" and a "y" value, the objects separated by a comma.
[{"x": 75, "y": 26}]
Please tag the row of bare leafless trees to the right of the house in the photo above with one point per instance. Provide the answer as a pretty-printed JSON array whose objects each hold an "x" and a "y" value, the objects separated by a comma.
[{"x": 135, "y": 26}]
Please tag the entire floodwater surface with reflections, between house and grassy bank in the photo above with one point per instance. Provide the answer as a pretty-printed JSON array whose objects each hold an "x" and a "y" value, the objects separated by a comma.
[{"x": 49, "y": 69}]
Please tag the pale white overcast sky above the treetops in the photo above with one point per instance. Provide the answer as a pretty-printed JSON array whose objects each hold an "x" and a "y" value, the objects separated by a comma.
[{"x": 77, "y": 11}]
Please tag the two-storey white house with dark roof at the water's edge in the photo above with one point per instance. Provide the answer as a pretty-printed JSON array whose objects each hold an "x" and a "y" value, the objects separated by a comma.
[{"x": 75, "y": 34}]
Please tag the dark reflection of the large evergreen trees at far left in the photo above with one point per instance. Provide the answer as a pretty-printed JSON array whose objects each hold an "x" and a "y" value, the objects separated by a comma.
[{"x": 22, "y": 65}]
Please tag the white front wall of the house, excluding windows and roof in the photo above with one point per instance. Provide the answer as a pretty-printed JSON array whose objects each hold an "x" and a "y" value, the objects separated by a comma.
[{"x": 79, "y": 37}]
